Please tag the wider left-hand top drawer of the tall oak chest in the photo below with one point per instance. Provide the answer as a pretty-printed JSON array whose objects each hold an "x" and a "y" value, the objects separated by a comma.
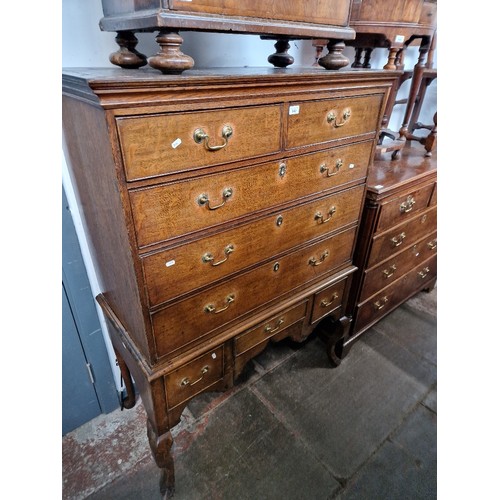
[{"x": 161, "y": 144}]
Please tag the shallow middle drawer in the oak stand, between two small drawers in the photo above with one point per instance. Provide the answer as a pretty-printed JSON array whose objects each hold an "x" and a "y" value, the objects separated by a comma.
[{"x": 270, "y": 328}]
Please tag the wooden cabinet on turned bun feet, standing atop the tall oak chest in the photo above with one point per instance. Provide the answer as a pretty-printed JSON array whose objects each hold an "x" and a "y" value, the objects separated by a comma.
[{"x": 283, "y": 20}]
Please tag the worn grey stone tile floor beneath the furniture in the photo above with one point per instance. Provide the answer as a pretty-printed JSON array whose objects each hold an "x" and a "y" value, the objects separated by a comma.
[{"x": 292, "y": 428}]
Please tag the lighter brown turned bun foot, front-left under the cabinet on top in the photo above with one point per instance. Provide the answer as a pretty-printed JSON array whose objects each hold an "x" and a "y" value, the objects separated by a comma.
[{"x": 170, "y": 59}]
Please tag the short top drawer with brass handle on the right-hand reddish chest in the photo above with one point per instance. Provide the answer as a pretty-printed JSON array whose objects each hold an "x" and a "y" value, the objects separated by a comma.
[{"x": 404, "y": 207}]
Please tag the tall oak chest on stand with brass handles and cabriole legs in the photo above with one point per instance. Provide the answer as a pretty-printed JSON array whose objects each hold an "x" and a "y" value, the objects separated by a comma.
[{"x": 222, "y": 208}]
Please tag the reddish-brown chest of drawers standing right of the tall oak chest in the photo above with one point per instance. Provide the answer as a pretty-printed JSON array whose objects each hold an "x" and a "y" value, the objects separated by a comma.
[{"x": 396, "y": 251}]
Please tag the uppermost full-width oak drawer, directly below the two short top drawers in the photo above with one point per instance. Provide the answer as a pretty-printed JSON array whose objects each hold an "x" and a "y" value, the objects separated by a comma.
[{"x": 170, "y": 210}]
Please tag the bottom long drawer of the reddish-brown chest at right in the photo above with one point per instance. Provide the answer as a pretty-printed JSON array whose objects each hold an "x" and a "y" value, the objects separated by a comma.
[{"x": 378, "y": 305}]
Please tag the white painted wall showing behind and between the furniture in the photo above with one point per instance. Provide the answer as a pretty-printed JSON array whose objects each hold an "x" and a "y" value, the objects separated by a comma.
[{"x": 84, "y": 44}]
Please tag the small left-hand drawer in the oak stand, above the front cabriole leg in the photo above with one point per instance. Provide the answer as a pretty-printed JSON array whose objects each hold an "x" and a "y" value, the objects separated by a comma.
[{"x": 194, "y": 377}]
